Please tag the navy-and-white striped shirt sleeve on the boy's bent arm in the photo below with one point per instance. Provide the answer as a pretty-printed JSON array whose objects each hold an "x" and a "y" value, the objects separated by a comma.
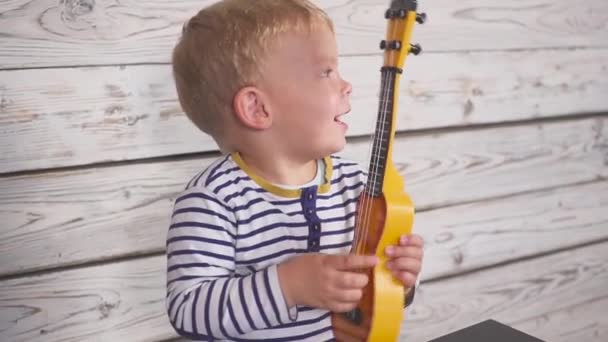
[{"x": 205, "y": 298}]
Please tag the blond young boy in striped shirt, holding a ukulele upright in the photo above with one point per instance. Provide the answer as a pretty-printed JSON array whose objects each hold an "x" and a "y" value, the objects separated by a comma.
[{"x": 258, "y": 247}]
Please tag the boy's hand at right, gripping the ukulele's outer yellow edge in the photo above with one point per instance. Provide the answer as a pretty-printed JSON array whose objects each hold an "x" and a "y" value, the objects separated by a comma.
[{"x": 406, "y": 259}]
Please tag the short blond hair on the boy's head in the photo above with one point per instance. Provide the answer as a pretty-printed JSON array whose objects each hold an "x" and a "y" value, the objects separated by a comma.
[{"x": 222, "y": 50}]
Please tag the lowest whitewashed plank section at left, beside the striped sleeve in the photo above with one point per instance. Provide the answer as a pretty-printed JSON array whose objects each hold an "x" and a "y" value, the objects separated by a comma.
[{"x": 115, "y": 302}]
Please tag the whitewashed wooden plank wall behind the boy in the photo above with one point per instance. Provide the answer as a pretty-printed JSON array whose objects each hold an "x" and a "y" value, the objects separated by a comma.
[{"x": 503, "y": 143}]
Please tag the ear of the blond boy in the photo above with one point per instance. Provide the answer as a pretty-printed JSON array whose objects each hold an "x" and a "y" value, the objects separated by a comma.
[{"x": 250, "y": 108}]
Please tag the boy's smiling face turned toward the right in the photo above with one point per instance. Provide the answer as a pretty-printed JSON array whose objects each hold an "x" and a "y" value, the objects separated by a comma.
[{"x": 307, "y": 94}]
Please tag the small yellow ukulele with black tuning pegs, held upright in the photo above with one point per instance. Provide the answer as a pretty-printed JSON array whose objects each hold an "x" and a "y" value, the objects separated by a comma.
[{"x": 384, "y": 211}]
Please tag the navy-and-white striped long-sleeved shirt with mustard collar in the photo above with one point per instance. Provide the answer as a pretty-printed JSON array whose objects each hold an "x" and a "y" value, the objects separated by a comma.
[{"x": 230, "y": 229}]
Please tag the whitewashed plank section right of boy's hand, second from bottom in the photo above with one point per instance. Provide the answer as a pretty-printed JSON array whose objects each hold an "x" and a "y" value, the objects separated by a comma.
[{"x": 479, "y": 234}]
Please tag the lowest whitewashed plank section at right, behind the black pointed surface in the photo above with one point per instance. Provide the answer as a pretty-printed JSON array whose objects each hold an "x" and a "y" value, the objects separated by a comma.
[{"x": 558, "y": 298}]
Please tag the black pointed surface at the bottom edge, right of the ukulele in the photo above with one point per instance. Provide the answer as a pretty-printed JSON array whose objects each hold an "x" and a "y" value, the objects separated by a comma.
[{"x": 485, "y": 331}]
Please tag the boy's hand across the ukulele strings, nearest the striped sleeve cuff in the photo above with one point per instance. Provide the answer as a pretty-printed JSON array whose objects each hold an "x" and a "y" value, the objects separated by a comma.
[{"x": 325, "y": 281}]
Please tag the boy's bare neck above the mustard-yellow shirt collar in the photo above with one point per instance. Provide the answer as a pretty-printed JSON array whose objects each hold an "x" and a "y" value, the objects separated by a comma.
[{"x": 280, "y": 170}]
